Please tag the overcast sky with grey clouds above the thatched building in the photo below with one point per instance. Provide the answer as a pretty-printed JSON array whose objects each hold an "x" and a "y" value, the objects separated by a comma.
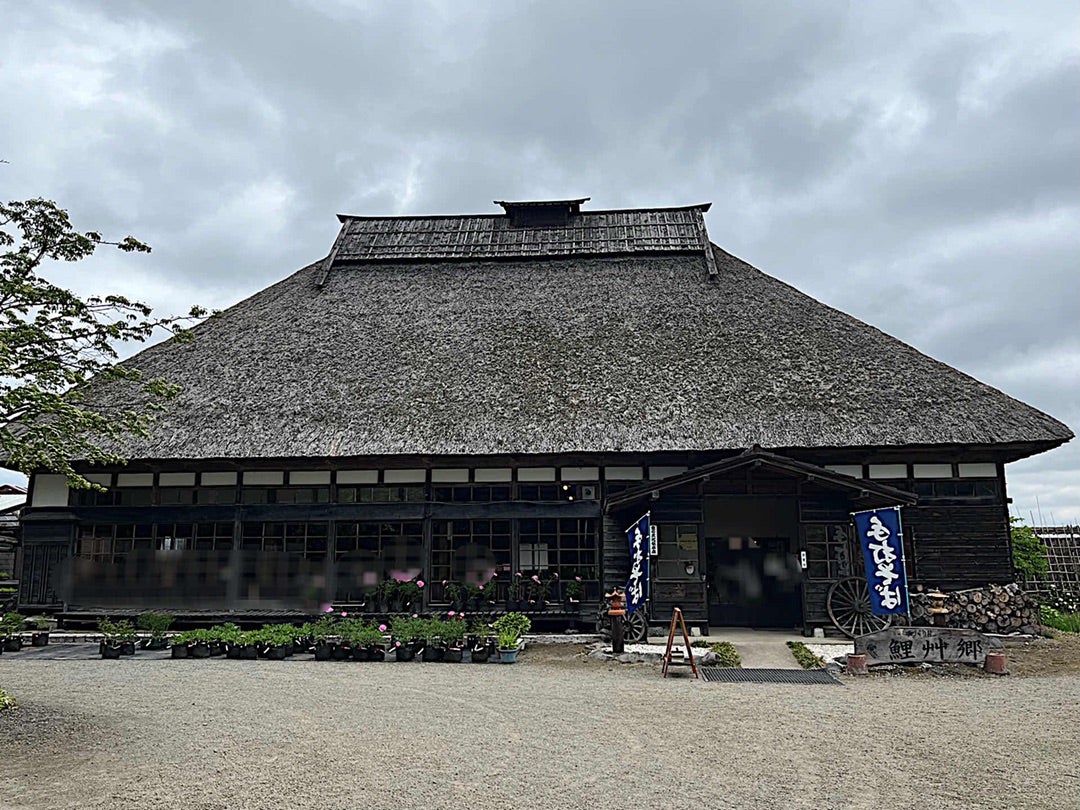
[{"x": 915, "y": 165}]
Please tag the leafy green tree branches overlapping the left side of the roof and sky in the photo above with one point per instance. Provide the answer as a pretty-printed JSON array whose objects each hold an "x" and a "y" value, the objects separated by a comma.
[{"x": 52, "y": 343}]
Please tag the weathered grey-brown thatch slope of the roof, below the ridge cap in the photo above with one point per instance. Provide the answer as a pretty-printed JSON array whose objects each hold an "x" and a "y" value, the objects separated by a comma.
[{"x": 637, "y": 353}]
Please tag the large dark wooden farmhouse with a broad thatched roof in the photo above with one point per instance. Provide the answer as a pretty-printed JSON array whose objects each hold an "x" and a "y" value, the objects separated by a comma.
[{"x": 467, "y": 398}]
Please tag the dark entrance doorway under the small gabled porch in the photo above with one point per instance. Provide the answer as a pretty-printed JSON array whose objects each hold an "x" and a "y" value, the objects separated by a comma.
[{"x": 754, "y": 582}]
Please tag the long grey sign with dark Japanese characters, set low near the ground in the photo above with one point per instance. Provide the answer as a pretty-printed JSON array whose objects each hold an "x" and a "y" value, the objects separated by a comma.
[{"x": 919, "y": 645}]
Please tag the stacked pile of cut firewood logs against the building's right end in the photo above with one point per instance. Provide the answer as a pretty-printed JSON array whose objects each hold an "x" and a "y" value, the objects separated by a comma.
[{"x": 991, "y": 610}]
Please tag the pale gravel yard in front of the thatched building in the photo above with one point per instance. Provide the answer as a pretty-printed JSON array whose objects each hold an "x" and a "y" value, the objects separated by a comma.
[{"x": 552, "y": 732}]
